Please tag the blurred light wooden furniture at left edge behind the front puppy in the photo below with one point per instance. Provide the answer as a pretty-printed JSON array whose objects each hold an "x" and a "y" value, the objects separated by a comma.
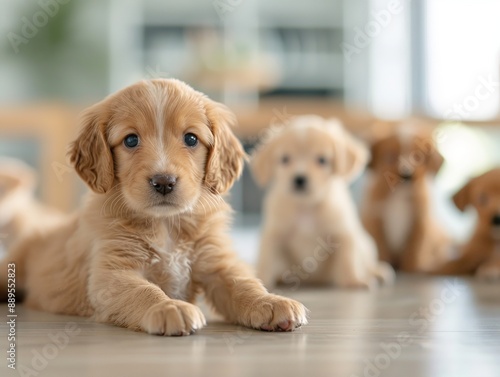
[{"x": 53, "y": 127}]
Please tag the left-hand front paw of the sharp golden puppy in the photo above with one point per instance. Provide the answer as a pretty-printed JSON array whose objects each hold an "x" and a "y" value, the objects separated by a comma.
[{"x": 173, "y": 318}]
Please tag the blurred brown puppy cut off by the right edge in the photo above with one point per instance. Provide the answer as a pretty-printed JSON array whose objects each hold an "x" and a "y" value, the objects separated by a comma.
[{"x": 481, "y": 254}]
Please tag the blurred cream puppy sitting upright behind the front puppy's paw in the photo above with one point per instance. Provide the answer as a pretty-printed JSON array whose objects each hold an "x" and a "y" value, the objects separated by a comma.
[{"x": 311, "y": 230}]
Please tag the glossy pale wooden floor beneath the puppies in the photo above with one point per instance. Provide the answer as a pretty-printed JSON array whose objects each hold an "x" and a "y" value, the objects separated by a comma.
[{"x": 420, "y": 327}]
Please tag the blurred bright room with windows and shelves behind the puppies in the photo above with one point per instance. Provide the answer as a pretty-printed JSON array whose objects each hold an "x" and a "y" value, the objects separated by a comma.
[{"x": 359, "y": 60}]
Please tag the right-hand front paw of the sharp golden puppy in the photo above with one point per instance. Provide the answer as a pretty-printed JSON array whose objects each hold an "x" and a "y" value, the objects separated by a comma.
[{"x": 275, "y": 313}]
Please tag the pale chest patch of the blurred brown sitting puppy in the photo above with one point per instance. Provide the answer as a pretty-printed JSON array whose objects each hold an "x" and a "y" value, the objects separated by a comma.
[{"x": 397, "y": 217}]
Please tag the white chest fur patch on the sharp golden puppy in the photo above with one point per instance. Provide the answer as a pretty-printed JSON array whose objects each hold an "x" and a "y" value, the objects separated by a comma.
[{"x": 171, "y": 271}]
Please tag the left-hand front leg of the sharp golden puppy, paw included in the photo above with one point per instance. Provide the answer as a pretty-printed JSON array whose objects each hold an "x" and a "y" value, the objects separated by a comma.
[{"x": 124, "y": 297}]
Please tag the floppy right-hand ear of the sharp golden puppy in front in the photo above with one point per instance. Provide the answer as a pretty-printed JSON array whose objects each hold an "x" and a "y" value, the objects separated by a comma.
[{"x": 226, "y": 156}]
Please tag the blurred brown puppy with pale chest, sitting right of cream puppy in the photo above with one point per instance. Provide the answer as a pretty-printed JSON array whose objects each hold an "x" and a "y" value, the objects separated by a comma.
[{"x": 397, "y": 208}]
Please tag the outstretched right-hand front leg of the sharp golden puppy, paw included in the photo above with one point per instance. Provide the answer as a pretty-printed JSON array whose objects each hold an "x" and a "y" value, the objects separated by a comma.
[{"x": 240, "y": 297}]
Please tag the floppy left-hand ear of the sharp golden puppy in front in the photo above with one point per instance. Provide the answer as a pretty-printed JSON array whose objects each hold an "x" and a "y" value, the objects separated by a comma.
[{"x": 90, "y": 153}]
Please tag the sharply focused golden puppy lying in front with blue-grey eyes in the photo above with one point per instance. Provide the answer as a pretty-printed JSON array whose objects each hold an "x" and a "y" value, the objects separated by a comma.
[{"x": 158, "y": 155}]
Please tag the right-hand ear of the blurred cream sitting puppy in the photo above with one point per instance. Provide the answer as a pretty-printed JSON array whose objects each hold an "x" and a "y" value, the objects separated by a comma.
[{"x": 351, "y": 155}]
